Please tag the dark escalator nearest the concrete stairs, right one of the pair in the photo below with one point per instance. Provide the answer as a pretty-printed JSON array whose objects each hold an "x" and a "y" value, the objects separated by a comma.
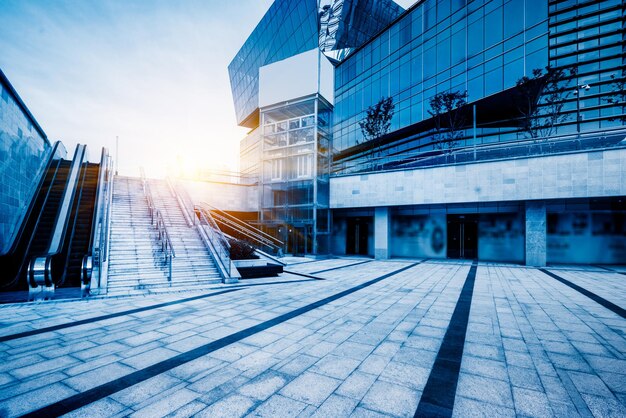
[{"x": 67, "y": 266}]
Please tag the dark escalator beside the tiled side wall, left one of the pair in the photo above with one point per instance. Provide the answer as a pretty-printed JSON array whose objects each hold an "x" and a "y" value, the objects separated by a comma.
[{"x": 34, "y": 233}]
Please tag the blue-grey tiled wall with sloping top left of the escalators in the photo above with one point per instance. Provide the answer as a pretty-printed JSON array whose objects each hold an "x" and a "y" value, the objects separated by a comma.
[{"x": 23, "y": 153}]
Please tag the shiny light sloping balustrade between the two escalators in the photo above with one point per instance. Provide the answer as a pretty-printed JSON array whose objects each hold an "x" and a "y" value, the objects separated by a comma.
[{"x": 63, "y": 215}]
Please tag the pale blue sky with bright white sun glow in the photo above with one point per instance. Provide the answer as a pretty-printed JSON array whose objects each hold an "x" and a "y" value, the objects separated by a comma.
[{"x": 153, "y": 72}]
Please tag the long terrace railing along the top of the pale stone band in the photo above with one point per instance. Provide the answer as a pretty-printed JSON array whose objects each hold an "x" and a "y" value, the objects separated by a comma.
[{"x": 483, "y": 152}]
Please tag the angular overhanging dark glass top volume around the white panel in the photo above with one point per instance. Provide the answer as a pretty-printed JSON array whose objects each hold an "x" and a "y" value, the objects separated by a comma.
[{"x": 292, "y": 27}]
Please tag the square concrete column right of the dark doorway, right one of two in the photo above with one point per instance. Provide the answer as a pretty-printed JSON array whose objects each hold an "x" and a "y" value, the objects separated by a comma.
[{"x": 536, "y": 241}]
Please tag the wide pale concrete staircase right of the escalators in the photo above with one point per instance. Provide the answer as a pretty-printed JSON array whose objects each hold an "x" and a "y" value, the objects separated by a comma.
[{"x": 136, "y": 262}]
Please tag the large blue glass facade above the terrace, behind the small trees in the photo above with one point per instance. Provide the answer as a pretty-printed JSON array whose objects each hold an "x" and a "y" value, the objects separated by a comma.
[{"x": 483, "y": 48}]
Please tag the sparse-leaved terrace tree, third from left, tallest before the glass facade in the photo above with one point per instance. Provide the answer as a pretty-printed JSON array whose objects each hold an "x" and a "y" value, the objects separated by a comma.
[{"x": 540, "y": 100}]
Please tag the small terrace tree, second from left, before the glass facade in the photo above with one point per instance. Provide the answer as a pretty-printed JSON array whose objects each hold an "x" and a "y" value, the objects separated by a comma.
[{"x": 449, "y": 117}]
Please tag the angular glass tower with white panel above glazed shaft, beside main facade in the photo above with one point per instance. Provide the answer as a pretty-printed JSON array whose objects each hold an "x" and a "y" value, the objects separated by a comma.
[{"x": 288, "y": 147}]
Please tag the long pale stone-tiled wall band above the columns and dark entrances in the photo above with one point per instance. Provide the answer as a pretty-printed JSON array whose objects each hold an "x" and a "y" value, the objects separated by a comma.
[{"x": 584, "y": 174}]
